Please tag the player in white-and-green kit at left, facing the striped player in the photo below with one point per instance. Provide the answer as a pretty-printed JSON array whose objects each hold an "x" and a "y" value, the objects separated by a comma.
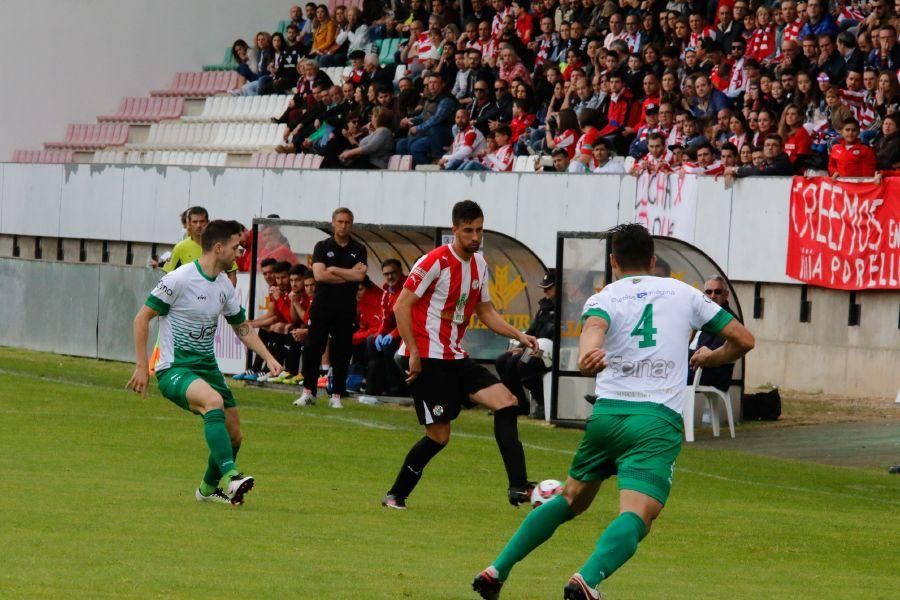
[{"x": 189, "y": 301}]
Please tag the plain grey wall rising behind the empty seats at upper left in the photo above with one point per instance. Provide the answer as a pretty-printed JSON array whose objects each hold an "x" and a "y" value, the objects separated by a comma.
[{"x": 68, "y": 61}]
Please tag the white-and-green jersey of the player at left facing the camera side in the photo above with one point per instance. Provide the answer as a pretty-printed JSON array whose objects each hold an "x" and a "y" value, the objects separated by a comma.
[{"x": 189, "y": 303}]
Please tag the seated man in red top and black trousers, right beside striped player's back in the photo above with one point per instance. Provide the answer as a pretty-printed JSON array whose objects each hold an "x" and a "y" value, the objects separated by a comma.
[{"x": 383, "y": 376}]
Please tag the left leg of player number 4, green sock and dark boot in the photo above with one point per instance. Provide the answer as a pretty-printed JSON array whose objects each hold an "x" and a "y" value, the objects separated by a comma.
[{"x": 538, "y": 527}]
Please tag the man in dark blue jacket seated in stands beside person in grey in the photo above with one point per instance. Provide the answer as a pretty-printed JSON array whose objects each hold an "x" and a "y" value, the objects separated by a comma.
[{"x": 430, "y": 130}]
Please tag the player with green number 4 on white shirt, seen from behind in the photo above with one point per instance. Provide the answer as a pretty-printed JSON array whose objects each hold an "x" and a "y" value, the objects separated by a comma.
[{"x": 635, "y": 340}]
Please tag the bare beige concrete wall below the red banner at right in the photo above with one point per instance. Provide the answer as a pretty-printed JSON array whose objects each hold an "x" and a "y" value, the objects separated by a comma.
[{"x": 824, "y": 354}]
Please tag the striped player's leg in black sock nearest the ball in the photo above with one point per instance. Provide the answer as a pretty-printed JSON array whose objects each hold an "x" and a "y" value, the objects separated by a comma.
[{"x": 497, "y": 398}]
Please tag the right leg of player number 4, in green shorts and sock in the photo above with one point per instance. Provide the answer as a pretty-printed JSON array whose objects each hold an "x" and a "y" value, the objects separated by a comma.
[{"x": 645, "y": 471}]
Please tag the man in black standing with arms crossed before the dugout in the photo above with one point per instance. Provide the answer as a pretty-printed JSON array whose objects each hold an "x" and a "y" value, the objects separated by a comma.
[{"x": 339, "y": 264}]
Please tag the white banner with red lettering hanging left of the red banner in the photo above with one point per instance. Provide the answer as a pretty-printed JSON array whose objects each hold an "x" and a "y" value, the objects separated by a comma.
[{"x": 666, "y": 204}]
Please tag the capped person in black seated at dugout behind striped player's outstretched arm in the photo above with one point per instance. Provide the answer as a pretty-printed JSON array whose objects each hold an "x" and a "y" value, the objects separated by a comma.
[{"x": 518, "y": 374}]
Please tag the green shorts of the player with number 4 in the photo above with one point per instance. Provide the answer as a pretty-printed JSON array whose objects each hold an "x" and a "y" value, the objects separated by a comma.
[{"x": 640, "y": 446}]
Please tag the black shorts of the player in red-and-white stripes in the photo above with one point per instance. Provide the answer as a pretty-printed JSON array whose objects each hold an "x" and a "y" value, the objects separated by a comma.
[{"x": 443, "y": 388}]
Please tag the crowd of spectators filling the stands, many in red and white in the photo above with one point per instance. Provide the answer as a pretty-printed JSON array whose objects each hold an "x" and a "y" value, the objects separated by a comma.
[{"x": 716, "y": 87}]
